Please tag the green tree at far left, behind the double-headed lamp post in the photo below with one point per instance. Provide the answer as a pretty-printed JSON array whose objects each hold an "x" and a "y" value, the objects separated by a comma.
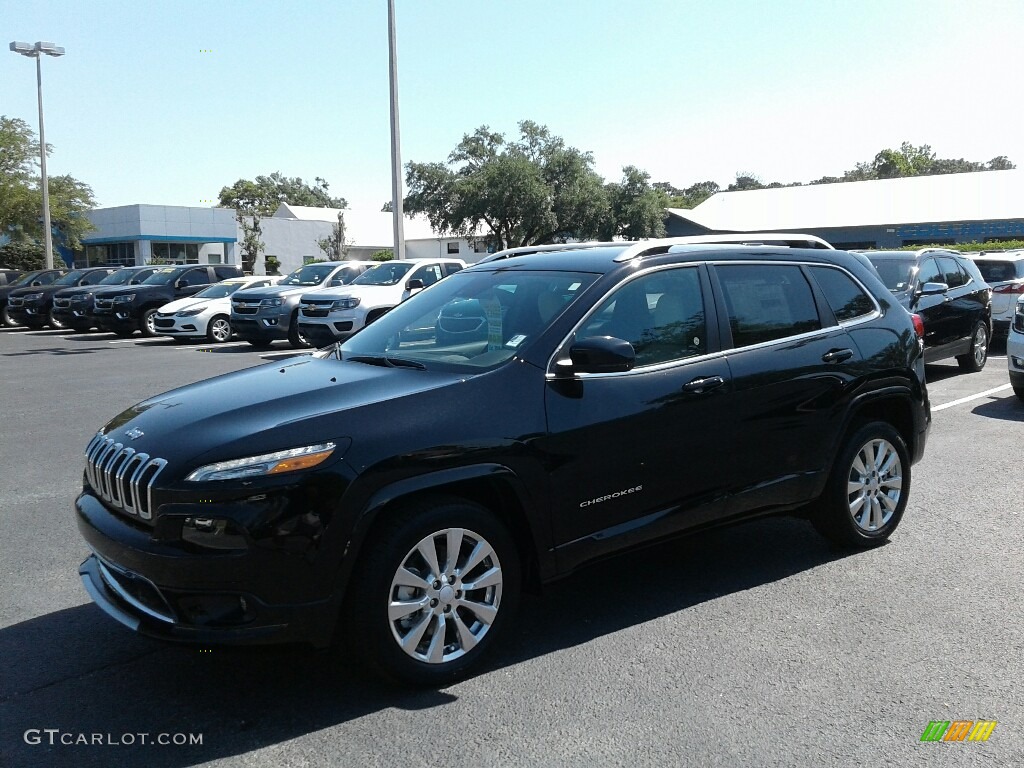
[{"x": 22, "y": 197}]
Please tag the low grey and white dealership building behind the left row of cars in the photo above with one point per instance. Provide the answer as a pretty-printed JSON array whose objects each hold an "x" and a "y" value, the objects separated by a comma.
[{"x": 182, "y": 235}]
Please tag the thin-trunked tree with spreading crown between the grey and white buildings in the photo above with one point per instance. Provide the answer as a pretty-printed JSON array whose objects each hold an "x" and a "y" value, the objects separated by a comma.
[{"x": 254, "y": 200}]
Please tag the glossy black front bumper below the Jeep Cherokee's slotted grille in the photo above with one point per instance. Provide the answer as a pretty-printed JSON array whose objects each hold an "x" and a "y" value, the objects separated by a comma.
[{"x": 177, "y": 594}]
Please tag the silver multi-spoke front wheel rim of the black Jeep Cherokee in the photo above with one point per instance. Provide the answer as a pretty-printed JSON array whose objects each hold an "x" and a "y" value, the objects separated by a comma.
[{"x": 445, "y": 596}]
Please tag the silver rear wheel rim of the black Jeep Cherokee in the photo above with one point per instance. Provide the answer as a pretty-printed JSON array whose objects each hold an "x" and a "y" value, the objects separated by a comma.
[{"x": 875, "y": 485}]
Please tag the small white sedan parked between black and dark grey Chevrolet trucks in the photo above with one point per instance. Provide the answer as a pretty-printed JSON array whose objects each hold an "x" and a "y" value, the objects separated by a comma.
[{"x": 208, "y": 313}]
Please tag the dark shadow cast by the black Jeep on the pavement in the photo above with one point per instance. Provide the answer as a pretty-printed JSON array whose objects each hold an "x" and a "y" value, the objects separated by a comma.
[{"x": 80, "y": 673}]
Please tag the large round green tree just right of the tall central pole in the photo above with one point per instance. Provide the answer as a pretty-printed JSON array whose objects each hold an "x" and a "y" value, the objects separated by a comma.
[{"x": 535, "y": 190}]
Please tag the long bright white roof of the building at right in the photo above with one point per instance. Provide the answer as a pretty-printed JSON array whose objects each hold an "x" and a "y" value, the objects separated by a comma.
[{"x": 957, "y": 197}]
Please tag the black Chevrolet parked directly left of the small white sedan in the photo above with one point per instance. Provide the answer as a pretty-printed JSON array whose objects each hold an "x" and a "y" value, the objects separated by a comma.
[{"x": 124, "y": 311}]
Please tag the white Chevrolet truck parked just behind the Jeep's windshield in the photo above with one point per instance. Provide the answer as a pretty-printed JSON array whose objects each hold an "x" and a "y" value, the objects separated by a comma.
[{"x": 329, "y": 315}]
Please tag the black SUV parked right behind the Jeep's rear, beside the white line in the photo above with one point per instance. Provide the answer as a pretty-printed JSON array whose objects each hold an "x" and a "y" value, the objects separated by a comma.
[{"x": 950, "y": 294}]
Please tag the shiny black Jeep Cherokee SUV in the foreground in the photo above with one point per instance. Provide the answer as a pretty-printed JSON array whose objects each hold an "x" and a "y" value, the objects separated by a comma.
[{"x": 403, "y": 491}]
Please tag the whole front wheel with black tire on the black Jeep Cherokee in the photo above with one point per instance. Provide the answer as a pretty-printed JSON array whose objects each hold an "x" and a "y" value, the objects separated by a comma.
[{"x": 436, "y": 588}]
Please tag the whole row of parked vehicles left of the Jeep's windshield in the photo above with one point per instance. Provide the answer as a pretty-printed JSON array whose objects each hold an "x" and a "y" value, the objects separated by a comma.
[{"x": 322, "y": 302}]
